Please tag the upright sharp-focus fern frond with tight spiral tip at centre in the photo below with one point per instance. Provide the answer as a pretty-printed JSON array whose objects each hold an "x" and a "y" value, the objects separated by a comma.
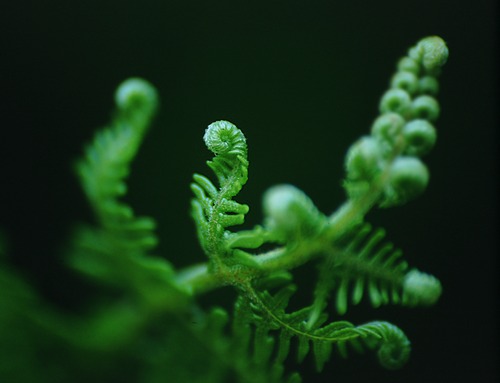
[{"x": 213, "y": 209}]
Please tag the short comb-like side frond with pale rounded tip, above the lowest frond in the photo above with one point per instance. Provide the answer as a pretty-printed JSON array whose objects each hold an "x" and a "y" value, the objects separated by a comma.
[{"x": 362, "y": 262}]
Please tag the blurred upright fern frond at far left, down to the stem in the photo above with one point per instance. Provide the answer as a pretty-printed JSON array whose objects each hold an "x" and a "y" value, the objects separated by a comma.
[{"x": 114, "y": 250}]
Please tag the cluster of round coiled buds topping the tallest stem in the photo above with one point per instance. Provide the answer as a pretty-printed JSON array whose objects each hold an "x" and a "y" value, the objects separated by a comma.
[{"x": 404, "y": 130}]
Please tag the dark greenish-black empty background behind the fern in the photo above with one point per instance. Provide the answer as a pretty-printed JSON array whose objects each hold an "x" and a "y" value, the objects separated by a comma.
[{"x": 302, "y": 79}]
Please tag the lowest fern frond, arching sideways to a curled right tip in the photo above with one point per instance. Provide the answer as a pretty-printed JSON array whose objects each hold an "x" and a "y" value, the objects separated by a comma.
[{"x": 268, "y": 314}]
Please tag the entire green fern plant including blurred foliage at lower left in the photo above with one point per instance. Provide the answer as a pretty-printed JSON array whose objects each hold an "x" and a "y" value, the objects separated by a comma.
[{"x": 151, "y": 310}]
